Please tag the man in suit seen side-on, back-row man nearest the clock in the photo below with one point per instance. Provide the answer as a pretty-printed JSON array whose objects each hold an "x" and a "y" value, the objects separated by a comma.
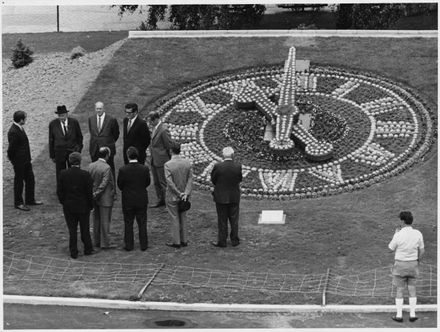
[{"x": 161, "y": 143}]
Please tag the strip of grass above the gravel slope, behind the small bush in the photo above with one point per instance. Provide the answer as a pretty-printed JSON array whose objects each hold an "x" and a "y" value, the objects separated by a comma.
[{"x": 49, "y": 42}]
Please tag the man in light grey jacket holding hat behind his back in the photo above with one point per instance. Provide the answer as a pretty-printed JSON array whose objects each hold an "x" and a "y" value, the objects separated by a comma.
[{"x": 178, "y": 174}]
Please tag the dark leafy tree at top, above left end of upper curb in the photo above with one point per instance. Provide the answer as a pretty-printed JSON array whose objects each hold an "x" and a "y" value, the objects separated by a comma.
[{"x": 205, "y": 17}]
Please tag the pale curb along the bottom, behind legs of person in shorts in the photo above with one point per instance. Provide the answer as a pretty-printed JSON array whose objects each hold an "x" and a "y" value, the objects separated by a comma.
[{"x": 174, "y": 306}]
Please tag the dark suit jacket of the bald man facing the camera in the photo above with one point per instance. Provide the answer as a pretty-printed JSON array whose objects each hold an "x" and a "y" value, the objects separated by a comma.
[{"x": 108, "y": 135}]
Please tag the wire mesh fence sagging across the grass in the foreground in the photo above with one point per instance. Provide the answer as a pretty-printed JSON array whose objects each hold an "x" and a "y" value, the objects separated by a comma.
[{"x": 373, "y": 283}]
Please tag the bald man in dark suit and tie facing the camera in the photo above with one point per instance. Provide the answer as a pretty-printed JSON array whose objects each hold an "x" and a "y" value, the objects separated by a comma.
[{"x": 104, "y": 131}]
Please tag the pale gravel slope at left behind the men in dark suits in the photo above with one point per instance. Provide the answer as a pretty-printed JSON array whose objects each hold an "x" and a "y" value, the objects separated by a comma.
[{"x": 50, "y": 80}]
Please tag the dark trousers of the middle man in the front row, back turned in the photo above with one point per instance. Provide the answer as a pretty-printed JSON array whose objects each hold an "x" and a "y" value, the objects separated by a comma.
[{"x": 130, "y": 213}]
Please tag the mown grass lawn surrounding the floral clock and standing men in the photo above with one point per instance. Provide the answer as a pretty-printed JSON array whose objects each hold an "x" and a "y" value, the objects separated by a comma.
[{"x": 347, "y": 233}]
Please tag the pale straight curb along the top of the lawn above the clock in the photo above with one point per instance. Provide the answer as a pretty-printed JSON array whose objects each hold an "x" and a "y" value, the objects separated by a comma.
[{"x": 284, "y": 33}]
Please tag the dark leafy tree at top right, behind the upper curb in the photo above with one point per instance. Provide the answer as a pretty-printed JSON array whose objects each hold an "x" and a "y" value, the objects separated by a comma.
[{"x": 368, "y": 16}]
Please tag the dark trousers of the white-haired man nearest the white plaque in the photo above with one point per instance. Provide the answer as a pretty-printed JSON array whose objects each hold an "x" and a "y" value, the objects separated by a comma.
[{"x": 227, "y": 212}]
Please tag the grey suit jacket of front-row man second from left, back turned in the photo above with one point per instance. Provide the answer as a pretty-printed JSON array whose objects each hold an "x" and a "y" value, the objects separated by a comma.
[{"x": 103, "y": 183}]
